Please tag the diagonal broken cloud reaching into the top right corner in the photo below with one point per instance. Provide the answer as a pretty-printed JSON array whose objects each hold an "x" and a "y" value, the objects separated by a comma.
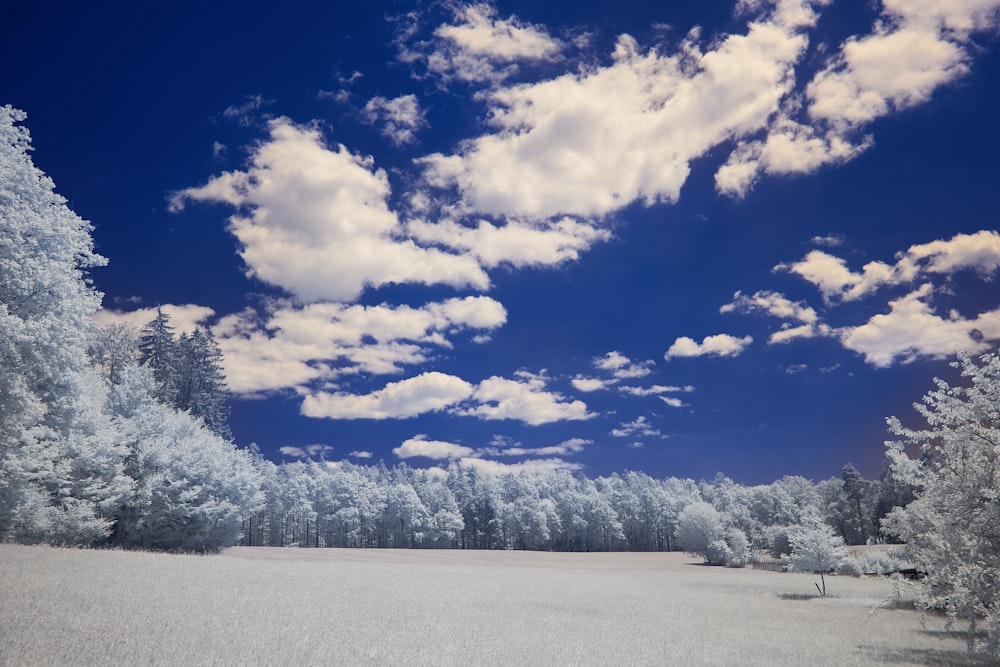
[{"x": 914, "y": 48}]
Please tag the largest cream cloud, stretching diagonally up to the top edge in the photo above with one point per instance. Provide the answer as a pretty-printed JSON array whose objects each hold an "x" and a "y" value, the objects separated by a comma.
[{"x": 589, "y": 143}]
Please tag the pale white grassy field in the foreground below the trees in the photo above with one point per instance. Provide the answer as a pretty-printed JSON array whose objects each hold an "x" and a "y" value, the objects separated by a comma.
[{"x": 301, "y": 607}]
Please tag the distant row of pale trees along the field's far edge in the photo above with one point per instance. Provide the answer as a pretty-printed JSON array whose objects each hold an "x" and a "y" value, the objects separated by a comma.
[{"x": 319, "y": 504}]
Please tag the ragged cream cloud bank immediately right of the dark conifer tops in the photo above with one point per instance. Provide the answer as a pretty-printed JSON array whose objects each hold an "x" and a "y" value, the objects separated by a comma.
[{"x": 295, "y": 346}]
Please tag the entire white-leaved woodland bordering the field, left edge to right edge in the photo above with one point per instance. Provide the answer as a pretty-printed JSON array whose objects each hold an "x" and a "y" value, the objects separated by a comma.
[{"x": 118, "y": 437}]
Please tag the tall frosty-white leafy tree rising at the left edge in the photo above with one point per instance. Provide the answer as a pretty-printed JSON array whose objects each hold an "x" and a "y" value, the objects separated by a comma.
[{"x": 60, "y": 467}]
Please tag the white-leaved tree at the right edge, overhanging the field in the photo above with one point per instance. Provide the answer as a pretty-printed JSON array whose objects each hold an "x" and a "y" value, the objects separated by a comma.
[{"x": 952, "y": 529}]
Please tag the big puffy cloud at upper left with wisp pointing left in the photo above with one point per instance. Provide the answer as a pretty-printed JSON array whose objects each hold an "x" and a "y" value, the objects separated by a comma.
[{"x": 315, "y": 221}]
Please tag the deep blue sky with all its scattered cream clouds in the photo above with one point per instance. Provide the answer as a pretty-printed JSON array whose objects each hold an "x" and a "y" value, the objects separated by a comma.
[{"x": 676, "y": 238}]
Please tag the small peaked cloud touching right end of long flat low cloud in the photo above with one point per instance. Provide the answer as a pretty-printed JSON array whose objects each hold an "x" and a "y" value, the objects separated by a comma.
[{"x": 524, "y": 399}]
